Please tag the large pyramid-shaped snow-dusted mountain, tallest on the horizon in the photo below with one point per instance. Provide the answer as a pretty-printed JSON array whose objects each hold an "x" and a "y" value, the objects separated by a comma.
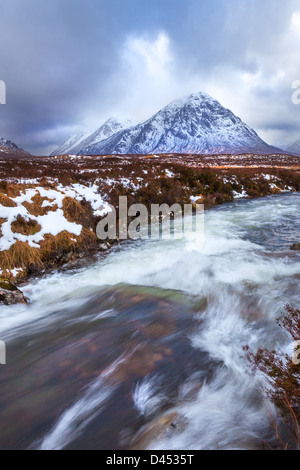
[{"x": 195, "y": 124}]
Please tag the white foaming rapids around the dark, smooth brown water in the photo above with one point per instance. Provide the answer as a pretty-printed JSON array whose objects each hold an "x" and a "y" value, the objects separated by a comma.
[{"x": 248, "y": 275}]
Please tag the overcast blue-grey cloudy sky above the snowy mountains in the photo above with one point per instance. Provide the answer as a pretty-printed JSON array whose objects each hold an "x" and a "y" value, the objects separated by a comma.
[{"x": 71, "y": 64}]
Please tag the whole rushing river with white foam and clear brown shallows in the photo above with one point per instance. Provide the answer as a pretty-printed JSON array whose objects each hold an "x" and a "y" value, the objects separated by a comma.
[{"x": 144, "y": 348}]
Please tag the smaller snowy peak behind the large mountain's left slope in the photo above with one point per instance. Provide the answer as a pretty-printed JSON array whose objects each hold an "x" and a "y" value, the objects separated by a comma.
[{"x": 77, "y": 143}]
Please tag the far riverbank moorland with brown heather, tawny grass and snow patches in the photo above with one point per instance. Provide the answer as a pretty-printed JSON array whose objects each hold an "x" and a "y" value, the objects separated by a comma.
[{"x": 50, "y": 206}]
